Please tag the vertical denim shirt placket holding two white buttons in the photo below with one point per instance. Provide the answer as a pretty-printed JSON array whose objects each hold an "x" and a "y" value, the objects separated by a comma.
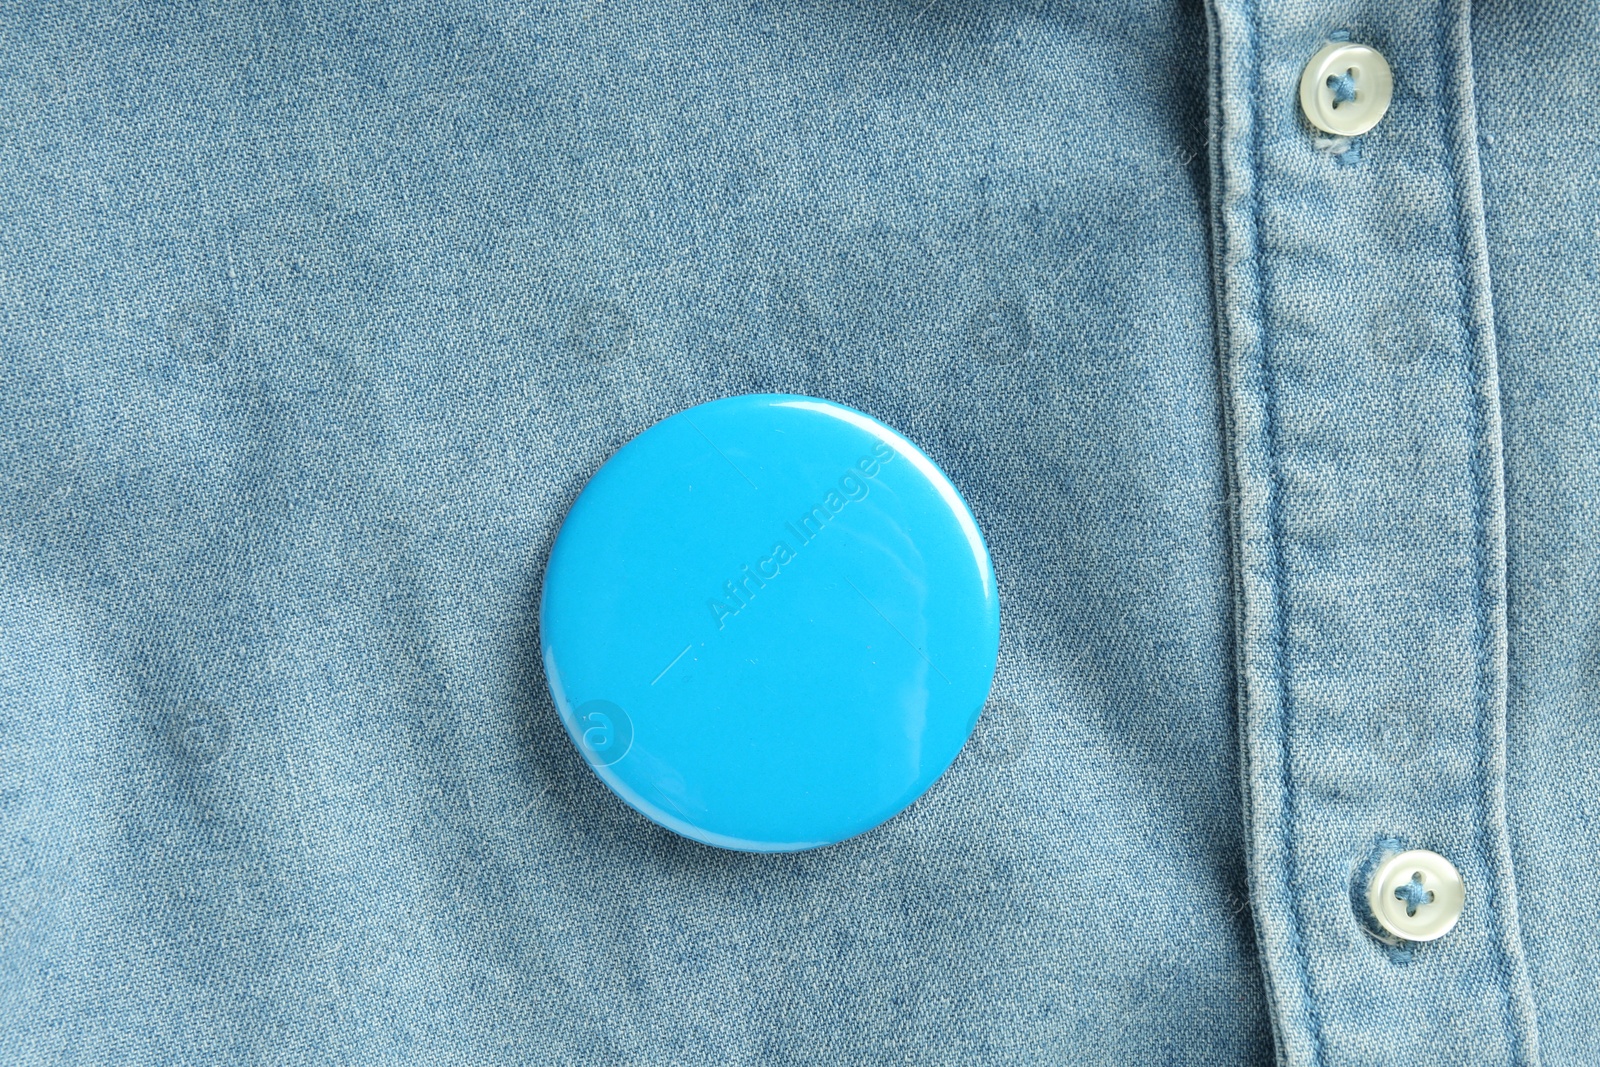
[{"x": 1358, "y": 356}]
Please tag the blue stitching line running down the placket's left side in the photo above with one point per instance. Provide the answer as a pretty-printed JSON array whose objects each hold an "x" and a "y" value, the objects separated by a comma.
[{"x": 1276, "y": 564}]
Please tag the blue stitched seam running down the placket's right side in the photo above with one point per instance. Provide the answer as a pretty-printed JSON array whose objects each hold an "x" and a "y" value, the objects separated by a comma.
[{"x": 1476, "y": 425}]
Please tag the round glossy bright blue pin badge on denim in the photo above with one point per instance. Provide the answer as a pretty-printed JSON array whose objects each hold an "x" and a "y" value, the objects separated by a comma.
[{"x": 770, "y": 623}]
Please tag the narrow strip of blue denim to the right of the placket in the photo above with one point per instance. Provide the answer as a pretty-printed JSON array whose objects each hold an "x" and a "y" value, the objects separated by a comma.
[{"x": 1542, "y": 182}]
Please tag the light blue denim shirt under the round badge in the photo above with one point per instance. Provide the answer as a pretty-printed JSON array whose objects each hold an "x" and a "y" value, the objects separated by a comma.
[{"x": 314, "y": 319}]
